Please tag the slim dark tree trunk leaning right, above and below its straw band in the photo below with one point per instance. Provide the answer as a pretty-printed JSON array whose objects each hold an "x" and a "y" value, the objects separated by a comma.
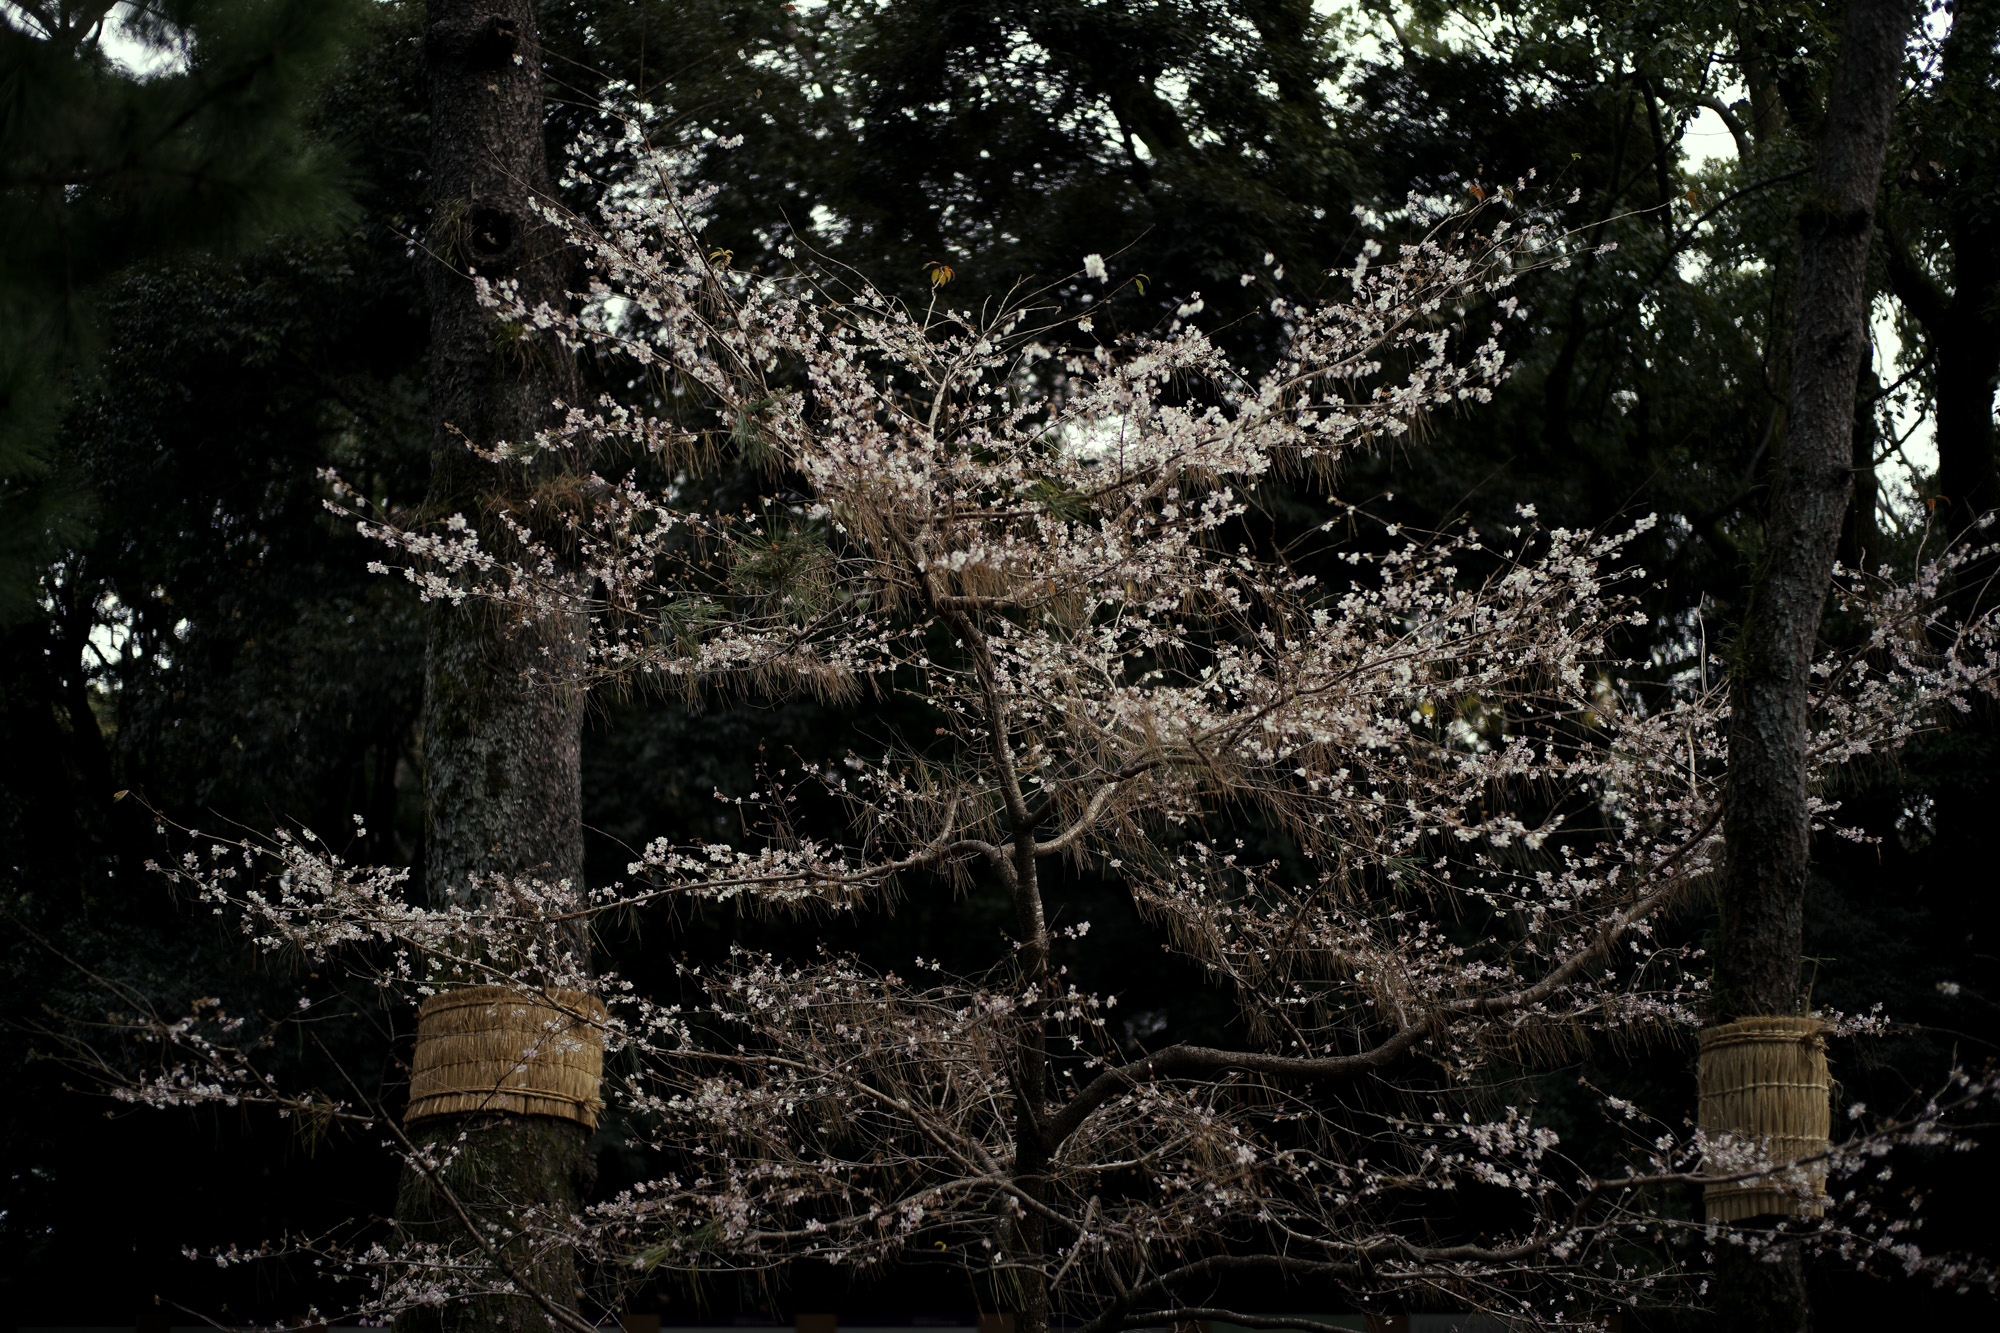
[{"x": 1767, "y": 824}]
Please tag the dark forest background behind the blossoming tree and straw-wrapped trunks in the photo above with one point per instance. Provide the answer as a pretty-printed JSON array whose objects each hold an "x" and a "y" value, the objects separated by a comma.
[{"x": 211, "y": 293}]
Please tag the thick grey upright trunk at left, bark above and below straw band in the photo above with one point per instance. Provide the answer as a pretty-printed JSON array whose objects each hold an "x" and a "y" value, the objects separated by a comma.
[{"x": 501, "y": 750}]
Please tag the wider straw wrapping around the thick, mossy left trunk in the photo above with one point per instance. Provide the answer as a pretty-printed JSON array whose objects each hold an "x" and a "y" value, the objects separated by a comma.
[{"x": 503, "y": 1050}]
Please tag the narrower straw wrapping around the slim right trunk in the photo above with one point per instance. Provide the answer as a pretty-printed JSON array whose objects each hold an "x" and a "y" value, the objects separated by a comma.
[{"x": 1767, "y": 1080}]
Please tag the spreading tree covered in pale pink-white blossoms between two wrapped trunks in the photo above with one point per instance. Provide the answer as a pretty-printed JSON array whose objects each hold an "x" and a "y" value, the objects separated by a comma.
[{"x": 1035, "y": 533}]
